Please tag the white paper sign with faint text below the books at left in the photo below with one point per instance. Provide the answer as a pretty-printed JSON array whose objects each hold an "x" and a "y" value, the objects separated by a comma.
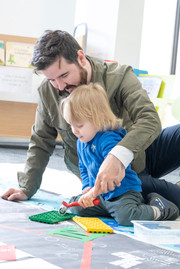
[{"x": 13, "y": 79}]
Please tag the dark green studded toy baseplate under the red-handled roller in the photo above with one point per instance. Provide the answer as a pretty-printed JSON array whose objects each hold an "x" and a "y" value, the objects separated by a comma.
[{"x": 51, "y": 217}]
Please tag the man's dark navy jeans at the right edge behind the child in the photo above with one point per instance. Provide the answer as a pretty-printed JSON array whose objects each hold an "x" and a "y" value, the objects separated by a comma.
[{"x": 162, "y": 157}]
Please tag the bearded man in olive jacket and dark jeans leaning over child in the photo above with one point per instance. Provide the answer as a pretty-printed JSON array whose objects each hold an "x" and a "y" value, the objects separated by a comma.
[{"x": 59, "y": 57}]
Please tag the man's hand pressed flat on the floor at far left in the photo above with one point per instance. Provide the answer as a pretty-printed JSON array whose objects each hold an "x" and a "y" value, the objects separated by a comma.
[{"x": 14, "y": 194}]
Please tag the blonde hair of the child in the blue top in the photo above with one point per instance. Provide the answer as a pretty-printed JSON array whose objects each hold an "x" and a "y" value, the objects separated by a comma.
[{"x": 90, "y": 102}]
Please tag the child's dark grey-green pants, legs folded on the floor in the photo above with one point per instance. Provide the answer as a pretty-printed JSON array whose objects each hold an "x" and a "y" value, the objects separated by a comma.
[{"x": 127, "y": 207}]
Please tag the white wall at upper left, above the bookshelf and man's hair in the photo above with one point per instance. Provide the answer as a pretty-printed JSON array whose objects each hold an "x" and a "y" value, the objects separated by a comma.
[{"x": 31, "y": 18}]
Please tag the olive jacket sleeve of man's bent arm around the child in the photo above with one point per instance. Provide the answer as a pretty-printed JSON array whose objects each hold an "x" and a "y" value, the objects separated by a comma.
[{"x": 144, "y": 123}]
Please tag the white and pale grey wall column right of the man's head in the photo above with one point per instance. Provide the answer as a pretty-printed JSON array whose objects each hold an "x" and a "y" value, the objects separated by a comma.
[{"x": 114, "y": 28}]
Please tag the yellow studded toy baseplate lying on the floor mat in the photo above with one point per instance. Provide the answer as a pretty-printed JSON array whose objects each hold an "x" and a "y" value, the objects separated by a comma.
[{"x": 93, "y": 225}]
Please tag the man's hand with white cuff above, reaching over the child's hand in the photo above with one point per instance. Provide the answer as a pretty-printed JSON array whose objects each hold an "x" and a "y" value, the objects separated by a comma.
[{"x": 110, "y": 175}]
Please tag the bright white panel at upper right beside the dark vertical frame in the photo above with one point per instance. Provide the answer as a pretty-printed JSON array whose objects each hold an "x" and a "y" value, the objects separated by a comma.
[{"x": 157, "y": 36}]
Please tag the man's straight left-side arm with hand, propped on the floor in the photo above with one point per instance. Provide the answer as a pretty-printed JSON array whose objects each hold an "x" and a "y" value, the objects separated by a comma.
[{"x": 41, "y": 147}]
